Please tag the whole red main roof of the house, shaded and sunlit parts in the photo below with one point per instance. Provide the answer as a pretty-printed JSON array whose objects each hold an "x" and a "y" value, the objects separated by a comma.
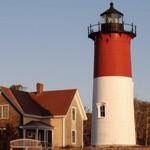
[{"x": 48, "y": 103}]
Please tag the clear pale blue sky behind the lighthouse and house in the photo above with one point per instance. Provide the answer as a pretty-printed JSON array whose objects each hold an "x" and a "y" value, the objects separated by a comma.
[{"x": 47, "y": 41}]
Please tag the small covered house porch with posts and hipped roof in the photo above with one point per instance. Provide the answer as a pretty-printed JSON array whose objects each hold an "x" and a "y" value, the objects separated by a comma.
[{"x": 39, "y": 131}]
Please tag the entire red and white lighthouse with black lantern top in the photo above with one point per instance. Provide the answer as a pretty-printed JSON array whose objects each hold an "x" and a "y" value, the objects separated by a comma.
[{"x": 113, "y": 109}]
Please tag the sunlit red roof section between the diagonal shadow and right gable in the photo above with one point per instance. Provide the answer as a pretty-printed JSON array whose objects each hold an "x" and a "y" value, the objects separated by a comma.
[{"x": 56, "y": 102}]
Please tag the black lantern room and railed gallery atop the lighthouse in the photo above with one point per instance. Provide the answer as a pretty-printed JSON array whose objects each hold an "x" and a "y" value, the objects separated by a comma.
[{"x": 111, "y": 22}]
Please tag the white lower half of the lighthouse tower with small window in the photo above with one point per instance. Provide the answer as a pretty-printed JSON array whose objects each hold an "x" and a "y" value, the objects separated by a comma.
[{"x": 113, "y": 111}]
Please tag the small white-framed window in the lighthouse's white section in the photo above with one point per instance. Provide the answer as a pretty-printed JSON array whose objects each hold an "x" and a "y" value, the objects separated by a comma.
[{"x": 101, "y": 110}]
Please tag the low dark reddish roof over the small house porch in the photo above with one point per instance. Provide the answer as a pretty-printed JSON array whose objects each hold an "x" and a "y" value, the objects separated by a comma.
[{"x": 36, "y": 125}]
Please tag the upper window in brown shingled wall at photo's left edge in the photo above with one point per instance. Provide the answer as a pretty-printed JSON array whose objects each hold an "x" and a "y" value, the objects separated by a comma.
[{"x": 4, "y": 111}]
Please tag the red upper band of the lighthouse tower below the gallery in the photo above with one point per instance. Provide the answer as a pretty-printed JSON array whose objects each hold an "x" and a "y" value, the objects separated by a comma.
[{"x": 112, "y": 55}]
